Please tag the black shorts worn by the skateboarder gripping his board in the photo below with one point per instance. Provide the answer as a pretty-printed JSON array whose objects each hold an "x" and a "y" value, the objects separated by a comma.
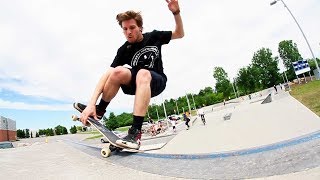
[{"x": 158, "y": 83}]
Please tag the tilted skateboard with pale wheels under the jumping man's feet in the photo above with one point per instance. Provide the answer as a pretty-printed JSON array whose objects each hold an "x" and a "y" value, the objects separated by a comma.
[{"x": 109, "y": 135}]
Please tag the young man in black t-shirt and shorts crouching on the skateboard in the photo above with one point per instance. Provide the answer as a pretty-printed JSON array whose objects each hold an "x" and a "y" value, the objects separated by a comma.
[{"x": 144, "y": 78}]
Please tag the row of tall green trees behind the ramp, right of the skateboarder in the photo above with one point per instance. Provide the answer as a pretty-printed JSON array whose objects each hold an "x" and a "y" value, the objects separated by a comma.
[{"x": 263, "y": 72}]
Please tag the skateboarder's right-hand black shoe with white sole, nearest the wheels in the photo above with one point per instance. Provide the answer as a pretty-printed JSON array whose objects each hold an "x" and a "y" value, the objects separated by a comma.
[{"x": 132, "y": 140}]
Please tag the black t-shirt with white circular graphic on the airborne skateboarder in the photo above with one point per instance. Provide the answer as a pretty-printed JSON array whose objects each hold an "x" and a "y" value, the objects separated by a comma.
[{"x": 145, "y": 54}]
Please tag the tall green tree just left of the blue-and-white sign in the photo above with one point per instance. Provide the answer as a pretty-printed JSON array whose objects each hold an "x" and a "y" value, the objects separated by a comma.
[{"x": 289, "y": 53}]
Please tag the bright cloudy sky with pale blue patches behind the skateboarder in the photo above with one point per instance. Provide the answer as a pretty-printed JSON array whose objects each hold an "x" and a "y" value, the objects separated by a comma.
[{"x": 53, "y": 52}]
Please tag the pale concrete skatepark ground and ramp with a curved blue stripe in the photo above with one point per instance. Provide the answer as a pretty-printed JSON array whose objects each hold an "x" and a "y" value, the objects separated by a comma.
[{"x": 244, "y": 139}]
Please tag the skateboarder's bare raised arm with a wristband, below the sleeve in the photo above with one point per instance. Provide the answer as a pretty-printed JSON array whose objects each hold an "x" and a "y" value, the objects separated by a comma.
[{"x": 173, "y": 6}]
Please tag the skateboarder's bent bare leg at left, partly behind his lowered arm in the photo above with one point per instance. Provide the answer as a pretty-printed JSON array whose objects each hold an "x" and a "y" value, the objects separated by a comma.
[{"x": 119, "y": 75}]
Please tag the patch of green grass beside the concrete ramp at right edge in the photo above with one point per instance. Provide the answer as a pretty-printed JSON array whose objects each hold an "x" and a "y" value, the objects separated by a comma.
[{"x": 308, "y": 94}]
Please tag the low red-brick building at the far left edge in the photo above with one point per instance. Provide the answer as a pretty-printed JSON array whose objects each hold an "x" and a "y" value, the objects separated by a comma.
[{"x": 8, "y": 130}]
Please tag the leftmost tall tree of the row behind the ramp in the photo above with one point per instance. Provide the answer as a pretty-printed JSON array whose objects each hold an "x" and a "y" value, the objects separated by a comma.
[{"x": 222, "y": 81}]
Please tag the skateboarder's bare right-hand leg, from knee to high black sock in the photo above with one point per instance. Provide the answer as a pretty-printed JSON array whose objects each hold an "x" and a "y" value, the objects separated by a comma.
[{"x": 143, "y": 93}]
